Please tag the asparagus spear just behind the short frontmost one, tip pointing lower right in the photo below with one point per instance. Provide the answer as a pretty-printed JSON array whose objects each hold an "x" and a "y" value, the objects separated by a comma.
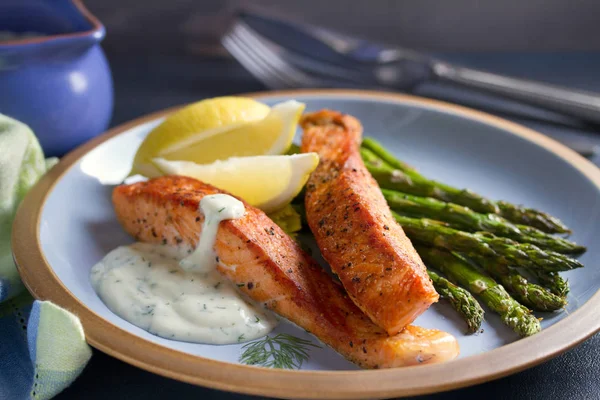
[{"x": 512, "y": 314}]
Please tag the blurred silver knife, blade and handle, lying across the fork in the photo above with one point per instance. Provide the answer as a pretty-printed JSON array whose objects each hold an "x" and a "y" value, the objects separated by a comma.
[{"x": 403, "y": 69}]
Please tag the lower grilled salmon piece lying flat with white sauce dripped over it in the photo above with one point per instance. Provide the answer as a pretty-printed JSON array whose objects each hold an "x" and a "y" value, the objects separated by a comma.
[{"x": 271, "y": 268}]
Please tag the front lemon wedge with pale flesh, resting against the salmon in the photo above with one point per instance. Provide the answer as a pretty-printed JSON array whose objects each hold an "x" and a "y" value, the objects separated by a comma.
[{"x": 266, "y": 182}]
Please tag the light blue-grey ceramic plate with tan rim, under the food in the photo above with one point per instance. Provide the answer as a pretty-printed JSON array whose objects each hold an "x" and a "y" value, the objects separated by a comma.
[{"x": 67, "y": 224}]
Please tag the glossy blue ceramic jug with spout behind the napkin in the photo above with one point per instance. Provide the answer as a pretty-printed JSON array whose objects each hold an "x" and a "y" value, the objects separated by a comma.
[{"x": 58, "y": 83}]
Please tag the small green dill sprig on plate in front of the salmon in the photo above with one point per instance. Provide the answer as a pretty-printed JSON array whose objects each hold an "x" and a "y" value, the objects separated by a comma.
[{"x": 280, "y": 351}]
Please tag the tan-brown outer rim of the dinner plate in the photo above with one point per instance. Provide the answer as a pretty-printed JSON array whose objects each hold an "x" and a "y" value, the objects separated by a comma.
[{"x": 40, "y": 279}]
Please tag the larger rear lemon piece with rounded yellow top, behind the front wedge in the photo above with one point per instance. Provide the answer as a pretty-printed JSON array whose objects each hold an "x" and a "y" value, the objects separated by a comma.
[{"x": 219, "y": 128}]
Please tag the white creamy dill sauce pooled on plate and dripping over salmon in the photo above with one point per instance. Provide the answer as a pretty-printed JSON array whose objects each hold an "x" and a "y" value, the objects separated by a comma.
[{"x": 178, "y": 296}]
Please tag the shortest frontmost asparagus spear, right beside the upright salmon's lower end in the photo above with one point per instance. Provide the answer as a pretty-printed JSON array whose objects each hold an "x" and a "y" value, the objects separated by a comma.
[{"x": 460, "y": 299}]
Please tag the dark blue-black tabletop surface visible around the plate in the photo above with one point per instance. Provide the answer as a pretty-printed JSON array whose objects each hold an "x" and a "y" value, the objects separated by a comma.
[{"x": 148, "y": 80}]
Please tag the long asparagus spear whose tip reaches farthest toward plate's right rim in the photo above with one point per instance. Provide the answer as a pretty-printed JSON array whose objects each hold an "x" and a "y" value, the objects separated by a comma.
[{"x": 463, "y": 218}]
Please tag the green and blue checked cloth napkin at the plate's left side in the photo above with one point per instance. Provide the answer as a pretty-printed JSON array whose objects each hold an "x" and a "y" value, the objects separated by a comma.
[{"x": 42, "y": 346}]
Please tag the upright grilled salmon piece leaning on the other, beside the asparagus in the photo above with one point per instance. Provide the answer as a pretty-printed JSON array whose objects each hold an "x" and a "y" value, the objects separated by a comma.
[{"x": 355, "y": 230}]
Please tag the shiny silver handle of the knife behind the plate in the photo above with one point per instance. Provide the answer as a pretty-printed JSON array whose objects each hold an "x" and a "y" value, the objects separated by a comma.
[{"x": 579, "y": 104}]
